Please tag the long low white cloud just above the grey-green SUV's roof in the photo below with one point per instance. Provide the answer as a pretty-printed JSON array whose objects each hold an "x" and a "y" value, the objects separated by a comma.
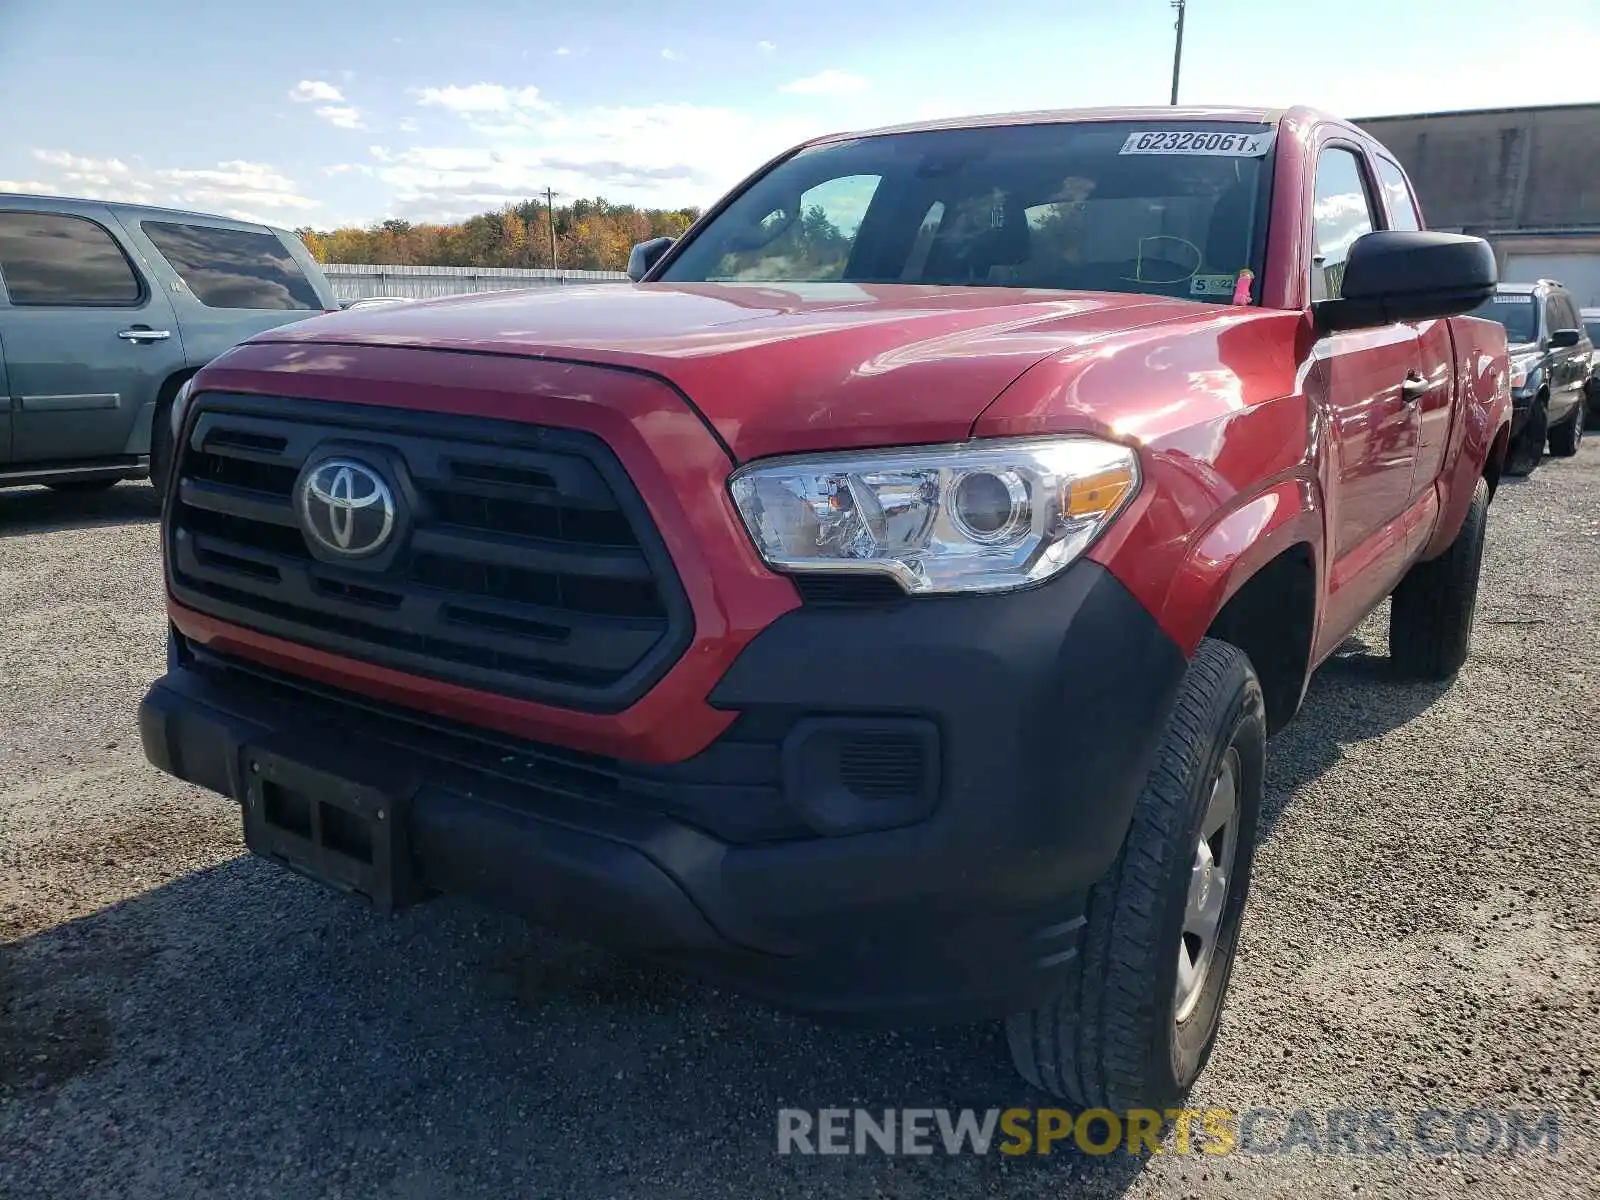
[{"x": 238, "y": 188}]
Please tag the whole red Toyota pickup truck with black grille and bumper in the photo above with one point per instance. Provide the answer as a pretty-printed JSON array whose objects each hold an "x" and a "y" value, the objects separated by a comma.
[{"x": 882, "y": 607}]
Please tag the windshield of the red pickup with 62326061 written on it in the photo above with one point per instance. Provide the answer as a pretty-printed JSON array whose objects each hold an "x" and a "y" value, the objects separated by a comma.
[{"x": 1167, "y": 207}]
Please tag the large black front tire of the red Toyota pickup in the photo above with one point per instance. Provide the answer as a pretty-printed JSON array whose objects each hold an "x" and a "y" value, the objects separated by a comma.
[{"x": 1114, "y": 1038}]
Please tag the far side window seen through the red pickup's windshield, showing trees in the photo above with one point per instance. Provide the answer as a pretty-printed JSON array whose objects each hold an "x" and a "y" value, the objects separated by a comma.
[{"x": 812, "y": 242}]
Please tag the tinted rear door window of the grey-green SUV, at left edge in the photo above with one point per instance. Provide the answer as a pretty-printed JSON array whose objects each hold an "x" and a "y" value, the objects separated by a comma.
[{"x": 54, "y": 260}]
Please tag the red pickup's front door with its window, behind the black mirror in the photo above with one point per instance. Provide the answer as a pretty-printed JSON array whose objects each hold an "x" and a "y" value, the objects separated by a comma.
[{"x": 1367, "y": 383}]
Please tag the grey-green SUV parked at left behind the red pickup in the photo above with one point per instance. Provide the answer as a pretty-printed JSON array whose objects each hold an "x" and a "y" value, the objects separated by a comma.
[{"x": 106, "y": 310}]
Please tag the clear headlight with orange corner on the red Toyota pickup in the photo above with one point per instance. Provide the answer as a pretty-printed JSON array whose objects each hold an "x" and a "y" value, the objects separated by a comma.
[{"x": 975, "y": 518}]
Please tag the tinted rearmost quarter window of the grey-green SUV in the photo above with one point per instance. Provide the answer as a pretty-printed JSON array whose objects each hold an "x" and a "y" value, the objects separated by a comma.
[{"x": 234, "y": 268}]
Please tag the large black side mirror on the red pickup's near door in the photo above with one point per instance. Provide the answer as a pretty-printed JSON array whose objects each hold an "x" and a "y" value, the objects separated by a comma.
[{"x": 1407, "y": 276}]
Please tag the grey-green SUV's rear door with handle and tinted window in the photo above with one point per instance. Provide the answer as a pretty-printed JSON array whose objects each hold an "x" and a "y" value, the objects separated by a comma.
[{"x": 89, "y": 342}]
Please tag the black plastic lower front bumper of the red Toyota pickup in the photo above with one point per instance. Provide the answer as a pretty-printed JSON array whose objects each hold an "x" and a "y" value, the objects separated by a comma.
[{"x": 1041, "y": 713}]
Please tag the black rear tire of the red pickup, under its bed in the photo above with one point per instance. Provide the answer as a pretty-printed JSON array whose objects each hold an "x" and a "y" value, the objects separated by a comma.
[{"x": 1431, "y": 615}]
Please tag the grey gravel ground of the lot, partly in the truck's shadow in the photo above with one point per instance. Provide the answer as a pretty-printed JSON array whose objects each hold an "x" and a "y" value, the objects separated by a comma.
[{"x": 178, "y": 1020}]
